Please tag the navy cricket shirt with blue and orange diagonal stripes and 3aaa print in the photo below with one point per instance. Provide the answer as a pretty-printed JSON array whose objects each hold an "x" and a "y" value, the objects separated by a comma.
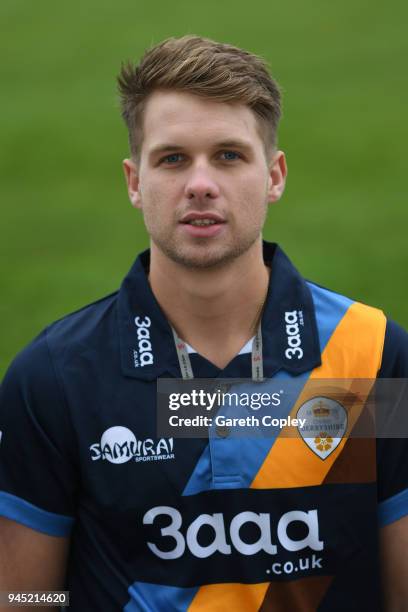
[{"x": 162, "y": 523}]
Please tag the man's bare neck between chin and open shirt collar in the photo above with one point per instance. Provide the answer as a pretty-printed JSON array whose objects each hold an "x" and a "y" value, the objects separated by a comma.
[{"x": 214, "y": 310}]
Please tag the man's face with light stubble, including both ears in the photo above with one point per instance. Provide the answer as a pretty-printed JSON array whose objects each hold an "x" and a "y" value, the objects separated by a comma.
[{"x": 203, "y": 181}]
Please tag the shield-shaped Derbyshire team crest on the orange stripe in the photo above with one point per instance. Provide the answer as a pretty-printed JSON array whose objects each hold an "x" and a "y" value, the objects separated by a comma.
[{"x": 325, "y": 425}]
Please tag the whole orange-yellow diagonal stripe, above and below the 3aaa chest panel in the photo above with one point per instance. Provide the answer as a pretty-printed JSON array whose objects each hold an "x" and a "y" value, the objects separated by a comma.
[{"x": 353, "y": 351}]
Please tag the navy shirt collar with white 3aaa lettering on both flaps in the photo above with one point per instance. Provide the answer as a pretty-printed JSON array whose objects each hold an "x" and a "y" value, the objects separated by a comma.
[{"x": 289, "y": 330}]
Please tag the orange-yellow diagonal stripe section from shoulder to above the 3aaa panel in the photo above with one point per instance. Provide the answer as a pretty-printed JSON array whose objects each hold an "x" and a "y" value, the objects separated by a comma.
[{"x": 353, "y": 352}]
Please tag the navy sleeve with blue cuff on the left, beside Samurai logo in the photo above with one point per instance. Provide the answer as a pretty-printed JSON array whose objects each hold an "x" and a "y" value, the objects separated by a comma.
[{"x": 38, "y": 472}]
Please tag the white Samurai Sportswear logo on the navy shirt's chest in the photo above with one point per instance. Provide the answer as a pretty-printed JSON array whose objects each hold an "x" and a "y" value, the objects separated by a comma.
[{"x": 119, "y": 445}]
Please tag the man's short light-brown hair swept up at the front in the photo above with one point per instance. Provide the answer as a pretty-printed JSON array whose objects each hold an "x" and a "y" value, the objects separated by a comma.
[{"x": 205, "y": 68}]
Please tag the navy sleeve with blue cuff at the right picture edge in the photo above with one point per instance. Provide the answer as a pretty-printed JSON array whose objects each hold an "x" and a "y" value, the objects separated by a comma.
[{"x": 392, "y": 452}]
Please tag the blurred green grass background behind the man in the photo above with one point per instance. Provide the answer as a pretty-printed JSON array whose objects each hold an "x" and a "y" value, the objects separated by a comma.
[{"x": 69, "y": 234}]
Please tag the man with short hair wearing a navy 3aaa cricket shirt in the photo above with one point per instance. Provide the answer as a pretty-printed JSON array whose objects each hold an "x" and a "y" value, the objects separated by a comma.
[{"x": 92, "y": 499}]
